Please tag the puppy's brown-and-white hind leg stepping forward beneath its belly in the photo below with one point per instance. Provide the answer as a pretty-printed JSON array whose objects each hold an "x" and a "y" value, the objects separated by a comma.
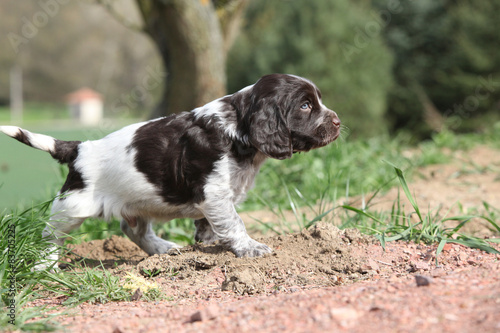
[{"x": 140, "y": 231}]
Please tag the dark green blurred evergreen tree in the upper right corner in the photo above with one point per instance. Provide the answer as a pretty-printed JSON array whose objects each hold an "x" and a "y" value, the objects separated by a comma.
[{"x": 447, "y": 68}]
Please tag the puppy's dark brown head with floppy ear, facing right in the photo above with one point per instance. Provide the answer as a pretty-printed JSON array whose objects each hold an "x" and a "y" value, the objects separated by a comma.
[{"x": 284, "y": 114}]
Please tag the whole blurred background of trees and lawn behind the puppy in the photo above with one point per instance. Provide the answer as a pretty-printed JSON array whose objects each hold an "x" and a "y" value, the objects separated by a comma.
[{"x": 80, "y": 69}]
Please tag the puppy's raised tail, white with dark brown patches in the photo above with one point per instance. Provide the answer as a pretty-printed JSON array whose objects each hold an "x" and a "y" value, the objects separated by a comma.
[{"x": 63, "y": 151}]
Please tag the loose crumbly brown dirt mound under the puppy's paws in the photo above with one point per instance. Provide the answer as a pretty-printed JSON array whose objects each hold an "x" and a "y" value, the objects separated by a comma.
[{"x": 320, "y": 256}]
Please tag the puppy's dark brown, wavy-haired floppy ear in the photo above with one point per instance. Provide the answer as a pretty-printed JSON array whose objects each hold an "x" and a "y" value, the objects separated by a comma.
[{"x": 268, "y": 130}]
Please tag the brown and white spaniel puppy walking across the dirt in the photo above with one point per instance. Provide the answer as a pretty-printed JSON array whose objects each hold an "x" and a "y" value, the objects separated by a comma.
[{"x": 197, "y": 164}]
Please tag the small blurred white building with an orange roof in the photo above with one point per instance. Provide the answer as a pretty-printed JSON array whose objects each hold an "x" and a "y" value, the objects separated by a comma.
[{"x": 85, "y": 106}]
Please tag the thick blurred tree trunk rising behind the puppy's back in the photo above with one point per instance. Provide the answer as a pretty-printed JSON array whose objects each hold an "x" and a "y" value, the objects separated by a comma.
[{"x": 193, "y": 37}]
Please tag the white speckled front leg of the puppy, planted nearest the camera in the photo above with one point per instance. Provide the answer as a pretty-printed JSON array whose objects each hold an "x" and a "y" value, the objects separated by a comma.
[{"x": 228, "y": 227}]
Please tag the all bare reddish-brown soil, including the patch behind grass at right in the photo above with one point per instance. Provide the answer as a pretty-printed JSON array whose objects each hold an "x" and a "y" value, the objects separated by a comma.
[{"x": 316, "y": 280}]
